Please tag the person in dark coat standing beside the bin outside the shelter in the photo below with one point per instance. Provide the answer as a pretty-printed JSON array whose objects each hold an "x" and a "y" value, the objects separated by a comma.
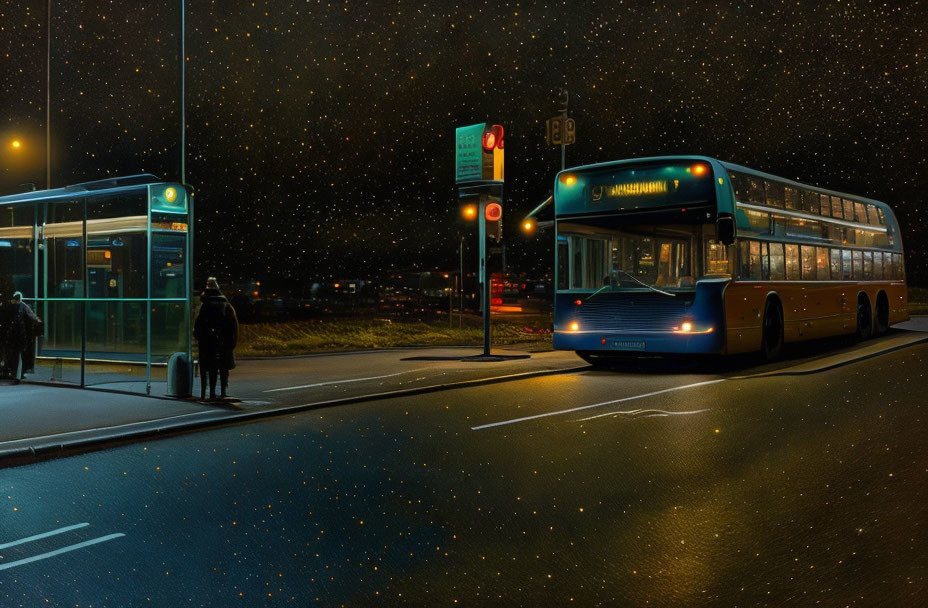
[{"x": 216, "y": 332}]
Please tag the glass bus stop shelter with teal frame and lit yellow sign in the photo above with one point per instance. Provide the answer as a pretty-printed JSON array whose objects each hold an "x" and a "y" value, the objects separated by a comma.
[{"x": 107, "y": 267}]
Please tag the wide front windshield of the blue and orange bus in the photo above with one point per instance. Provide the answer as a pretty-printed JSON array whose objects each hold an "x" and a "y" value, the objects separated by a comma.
[{"x": 593, "y": 254}]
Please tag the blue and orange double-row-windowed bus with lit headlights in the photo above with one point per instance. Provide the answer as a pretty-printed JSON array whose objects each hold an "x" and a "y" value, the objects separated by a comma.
[{"x": 689, "y": 254}]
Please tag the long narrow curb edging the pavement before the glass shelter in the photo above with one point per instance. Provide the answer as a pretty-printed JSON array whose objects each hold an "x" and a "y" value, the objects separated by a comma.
[{"x": 73, "y": 442}]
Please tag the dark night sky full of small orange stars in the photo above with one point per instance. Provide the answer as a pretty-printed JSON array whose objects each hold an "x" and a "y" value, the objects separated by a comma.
[{"x": 320, "y": 134}]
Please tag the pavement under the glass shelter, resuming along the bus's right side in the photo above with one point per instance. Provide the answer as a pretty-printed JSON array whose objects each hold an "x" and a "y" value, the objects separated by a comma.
[{"x": 43, "y": 420}]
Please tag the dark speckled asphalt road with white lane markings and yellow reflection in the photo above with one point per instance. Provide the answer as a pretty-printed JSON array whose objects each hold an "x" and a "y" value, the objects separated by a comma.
[{"x": 672, "y": 485}]
